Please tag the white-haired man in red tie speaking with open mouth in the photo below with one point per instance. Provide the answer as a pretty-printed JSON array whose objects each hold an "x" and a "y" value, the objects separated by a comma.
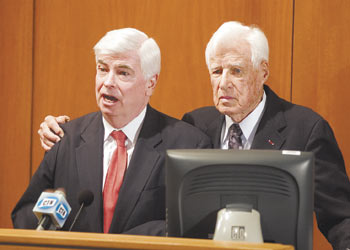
[{"x": 117, "y": 153}]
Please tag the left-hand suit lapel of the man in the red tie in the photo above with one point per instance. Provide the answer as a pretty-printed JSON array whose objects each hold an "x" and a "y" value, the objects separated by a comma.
[{"x": 89, "y": 156}]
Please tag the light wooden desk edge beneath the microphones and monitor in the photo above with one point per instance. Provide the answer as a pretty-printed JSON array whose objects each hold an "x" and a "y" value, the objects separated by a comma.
[{"x": 11, "y": 239}]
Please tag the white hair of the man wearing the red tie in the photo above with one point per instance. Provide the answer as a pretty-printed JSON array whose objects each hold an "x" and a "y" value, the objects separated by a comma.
[{"x": 129, "y": 39}]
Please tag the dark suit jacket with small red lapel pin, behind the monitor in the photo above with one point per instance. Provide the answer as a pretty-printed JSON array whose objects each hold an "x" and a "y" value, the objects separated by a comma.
[{"x": 294, "y": 127}]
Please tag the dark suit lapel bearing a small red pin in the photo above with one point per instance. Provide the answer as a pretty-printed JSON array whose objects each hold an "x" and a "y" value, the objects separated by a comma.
[{"x": 269, "y": 133}]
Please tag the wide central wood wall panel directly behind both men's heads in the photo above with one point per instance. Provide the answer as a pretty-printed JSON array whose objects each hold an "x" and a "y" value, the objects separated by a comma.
[{"x": 67, "y": 30}]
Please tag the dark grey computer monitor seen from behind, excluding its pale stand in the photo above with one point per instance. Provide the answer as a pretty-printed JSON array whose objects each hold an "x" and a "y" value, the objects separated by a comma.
[{"x": 278, "y": 184}]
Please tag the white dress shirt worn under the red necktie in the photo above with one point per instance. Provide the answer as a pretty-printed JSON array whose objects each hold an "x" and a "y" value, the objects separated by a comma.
[{"x": 131, "y": 130}]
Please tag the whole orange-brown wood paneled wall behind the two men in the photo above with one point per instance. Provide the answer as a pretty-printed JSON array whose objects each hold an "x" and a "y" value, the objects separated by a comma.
[{"x": 47, "y": 64}]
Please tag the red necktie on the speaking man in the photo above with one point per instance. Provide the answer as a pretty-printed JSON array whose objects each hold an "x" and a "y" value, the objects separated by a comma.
[{"x": 114, "y": 179}]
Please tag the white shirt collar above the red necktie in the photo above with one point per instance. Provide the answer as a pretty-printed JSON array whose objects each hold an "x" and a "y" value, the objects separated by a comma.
[{"x": 131, "y": 130}]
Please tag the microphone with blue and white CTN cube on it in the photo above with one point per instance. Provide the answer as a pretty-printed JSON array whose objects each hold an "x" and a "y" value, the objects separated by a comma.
[{"x": 52, "y": 210}]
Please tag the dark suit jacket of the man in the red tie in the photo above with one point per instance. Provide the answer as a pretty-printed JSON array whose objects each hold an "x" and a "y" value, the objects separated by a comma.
[{"x": 76, "y": 164}]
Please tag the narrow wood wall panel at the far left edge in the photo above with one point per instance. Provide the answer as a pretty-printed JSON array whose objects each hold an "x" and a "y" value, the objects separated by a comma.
[{"x": 16, "y": 93}]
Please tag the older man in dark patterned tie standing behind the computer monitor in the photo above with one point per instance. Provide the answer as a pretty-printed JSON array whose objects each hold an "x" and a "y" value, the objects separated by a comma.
[{"x": 249, "y": 115}]
